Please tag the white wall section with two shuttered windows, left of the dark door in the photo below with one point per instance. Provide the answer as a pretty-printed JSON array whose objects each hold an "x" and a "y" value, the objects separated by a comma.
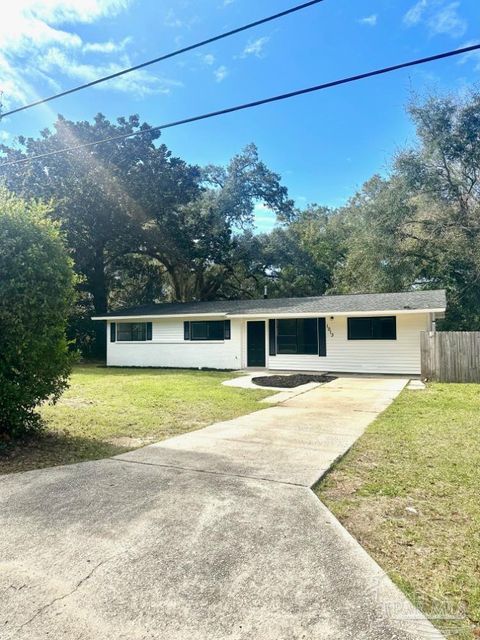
[{"x": 168, "y": 349}]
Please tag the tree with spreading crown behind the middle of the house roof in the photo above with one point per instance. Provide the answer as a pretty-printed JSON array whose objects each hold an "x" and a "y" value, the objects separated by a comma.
[{"x": 200, "y": 243}]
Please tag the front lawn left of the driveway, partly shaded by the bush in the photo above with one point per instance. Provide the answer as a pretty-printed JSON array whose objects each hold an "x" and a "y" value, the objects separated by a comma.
[{"x": 108, "y": 411}]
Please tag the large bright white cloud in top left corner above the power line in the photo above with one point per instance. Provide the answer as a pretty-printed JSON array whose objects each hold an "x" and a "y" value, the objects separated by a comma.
[{"x": 39, "y": 43}]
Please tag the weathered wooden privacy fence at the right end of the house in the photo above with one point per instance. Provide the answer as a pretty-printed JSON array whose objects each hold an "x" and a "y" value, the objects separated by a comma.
[{"x": 450, "y": 356}]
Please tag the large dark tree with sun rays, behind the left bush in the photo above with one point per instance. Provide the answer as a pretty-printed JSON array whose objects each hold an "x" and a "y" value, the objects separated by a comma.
[{"x": 96, "y": 192}]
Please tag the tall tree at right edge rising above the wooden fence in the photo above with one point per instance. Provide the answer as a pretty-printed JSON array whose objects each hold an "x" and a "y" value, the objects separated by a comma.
[{"x": 443, "y": 177}]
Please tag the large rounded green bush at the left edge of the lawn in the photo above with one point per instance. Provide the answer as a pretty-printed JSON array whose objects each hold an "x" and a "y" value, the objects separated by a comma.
[{"x": 36, "y": 295}]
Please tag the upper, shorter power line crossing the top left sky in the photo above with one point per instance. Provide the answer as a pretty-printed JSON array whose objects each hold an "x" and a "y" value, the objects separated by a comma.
[{"x": 166, "y": 56}]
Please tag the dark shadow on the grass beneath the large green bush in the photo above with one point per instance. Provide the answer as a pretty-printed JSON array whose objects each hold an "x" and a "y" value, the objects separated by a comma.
[{"x": 53, "y": 449}]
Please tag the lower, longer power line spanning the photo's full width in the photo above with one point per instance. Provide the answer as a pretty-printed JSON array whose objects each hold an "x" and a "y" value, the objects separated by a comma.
[{"x": 256, "y": 103}]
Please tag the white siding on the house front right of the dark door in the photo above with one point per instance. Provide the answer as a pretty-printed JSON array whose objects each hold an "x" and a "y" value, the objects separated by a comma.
[{"x": 363, "y": 356}]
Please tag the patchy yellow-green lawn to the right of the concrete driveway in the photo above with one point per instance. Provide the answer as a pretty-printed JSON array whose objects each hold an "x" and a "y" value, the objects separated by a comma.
[{"x": 409, "y": 491}]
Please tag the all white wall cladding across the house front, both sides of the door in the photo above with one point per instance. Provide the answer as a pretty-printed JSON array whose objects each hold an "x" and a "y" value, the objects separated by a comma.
[{"x": 169, "y": 349}]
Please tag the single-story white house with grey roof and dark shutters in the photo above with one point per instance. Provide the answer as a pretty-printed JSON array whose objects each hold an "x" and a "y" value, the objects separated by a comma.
[{"x": 360, "y": 333}]
